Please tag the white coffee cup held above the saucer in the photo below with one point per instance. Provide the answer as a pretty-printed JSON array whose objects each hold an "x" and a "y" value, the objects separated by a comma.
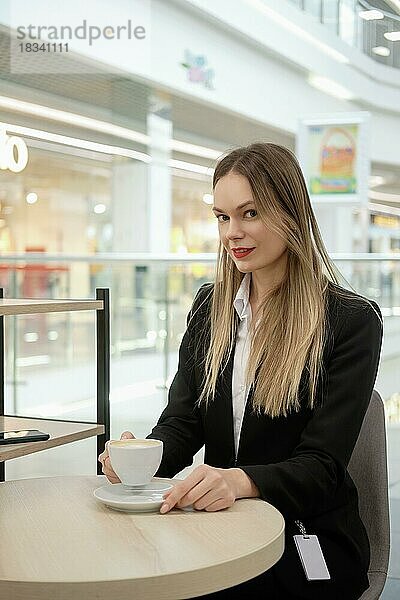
[{"x": 135, "y": 461}]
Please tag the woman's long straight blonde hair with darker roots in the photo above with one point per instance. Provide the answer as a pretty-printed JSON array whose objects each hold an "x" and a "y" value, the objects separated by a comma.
[{"x": 289, "y": 338}]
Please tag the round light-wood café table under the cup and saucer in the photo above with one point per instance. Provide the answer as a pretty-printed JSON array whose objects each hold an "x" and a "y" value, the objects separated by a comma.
[{"x": 58, "y": 541}]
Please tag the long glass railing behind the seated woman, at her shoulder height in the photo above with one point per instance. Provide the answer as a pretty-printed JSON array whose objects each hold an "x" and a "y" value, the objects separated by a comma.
[{"x": 50, "y": 358}]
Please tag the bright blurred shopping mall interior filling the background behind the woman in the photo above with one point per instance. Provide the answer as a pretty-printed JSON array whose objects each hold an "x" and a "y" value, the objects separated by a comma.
[{"x": 117, "y": 193}]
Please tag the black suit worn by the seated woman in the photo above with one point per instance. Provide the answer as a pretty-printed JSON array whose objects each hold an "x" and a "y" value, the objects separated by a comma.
[{"x": 298, "y": 462}]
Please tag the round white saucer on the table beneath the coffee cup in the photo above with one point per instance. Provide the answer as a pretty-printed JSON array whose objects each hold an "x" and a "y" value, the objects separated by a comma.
[{"x": 116, "y": 496}]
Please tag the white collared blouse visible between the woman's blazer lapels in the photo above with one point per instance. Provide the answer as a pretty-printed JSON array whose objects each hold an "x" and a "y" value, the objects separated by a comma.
[{"x": 242, "y": 349}]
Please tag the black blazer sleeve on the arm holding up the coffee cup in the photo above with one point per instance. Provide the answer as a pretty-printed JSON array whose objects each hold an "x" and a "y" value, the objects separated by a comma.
[{"x": 180, "y": 426}]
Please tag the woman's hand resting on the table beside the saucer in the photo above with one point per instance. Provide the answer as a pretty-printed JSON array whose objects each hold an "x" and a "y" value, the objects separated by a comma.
[{"x": 211, "y": 489}]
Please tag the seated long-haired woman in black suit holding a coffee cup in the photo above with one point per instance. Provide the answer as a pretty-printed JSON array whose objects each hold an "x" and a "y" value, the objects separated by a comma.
[{"x": 276, "y": 369}]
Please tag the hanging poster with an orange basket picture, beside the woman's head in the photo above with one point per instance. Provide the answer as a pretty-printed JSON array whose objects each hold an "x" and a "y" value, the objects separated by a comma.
[{"x": 332, "y": 159}]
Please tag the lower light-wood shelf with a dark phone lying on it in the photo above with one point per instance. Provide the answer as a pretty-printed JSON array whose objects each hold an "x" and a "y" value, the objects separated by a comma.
[{"x": 61, "y": 432}]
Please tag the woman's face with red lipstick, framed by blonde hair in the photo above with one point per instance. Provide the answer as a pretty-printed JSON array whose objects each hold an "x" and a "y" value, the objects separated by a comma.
[{"x": 240, "y": 226}]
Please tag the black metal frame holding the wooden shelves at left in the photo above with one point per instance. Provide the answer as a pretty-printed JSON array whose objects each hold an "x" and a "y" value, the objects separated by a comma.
[{"x": 102, "y": 374}]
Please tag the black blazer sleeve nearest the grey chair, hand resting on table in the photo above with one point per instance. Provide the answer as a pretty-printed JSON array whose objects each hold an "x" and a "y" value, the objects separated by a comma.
[{"x": 303, "y": 485}]
